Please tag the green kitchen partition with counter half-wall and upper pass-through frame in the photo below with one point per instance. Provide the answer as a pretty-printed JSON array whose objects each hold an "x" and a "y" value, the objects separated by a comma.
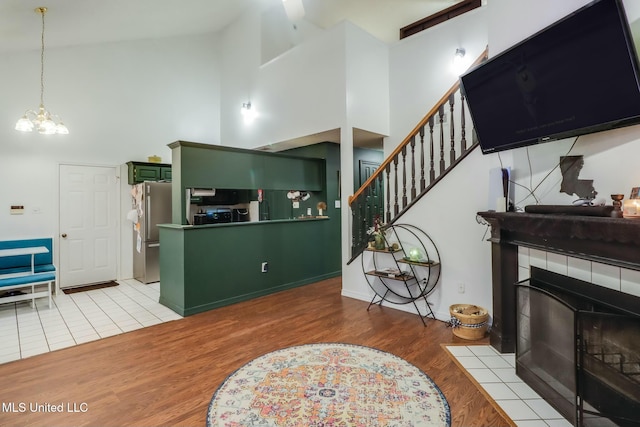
[{"x": 203, "y": 267}]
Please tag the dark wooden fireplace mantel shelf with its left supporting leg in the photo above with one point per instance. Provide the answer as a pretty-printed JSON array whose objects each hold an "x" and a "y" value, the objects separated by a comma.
[{"x": 614, "y": 241}]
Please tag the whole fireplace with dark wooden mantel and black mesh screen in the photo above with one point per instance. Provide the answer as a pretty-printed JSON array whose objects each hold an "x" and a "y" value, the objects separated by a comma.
[{"x": 576, "y": 343}]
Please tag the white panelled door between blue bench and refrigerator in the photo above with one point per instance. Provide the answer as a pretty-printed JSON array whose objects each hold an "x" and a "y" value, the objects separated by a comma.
[{"x": 88, "y": 225}]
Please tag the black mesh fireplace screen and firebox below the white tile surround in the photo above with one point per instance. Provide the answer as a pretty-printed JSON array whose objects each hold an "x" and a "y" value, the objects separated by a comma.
[{"x": 578, "y": 346}]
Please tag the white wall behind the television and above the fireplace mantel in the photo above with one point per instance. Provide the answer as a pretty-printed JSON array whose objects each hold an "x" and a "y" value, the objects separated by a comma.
[{"x": 603, "y": 152}]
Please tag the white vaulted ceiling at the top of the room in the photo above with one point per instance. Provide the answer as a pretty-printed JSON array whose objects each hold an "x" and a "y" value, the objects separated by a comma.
[{"x": 73, "y": 22}]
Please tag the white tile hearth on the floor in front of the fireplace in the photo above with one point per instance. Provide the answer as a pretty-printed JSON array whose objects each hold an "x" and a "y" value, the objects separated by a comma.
[{"x": 496, "y": 374}]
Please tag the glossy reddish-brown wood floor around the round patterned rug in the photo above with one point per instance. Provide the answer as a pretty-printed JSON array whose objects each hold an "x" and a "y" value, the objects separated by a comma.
[{"x": 165, "y": 375}]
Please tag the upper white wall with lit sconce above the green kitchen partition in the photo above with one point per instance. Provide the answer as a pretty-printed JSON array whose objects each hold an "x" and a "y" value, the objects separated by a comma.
[{"x": 305, "y": 90}]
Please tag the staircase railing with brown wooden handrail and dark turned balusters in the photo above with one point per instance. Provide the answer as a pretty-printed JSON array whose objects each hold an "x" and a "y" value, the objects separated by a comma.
[{"x": 433, "y": 148}]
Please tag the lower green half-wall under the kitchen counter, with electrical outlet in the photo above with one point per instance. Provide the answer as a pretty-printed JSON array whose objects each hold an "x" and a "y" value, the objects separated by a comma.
[{"x": 206, "y": 267}]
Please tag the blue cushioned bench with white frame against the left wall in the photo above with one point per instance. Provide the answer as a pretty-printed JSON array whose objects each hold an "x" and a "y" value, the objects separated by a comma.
[{"x": 16, "y": 272}]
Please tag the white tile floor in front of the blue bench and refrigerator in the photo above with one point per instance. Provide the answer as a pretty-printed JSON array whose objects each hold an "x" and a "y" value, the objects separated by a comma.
[{"x": 78, "y": 318}]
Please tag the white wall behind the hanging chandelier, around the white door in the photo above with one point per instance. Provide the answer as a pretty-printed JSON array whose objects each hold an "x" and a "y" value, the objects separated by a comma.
[{"x": 120, "y": 101}]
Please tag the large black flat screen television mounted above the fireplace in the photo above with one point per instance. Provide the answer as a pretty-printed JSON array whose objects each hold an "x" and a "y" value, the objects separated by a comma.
[{"x": 577, "y": 76}]
